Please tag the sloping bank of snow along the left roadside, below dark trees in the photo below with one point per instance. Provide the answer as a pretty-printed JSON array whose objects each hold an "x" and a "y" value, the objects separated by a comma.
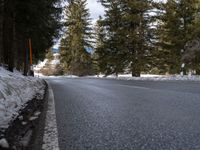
[{"x": 15, "y": 91}]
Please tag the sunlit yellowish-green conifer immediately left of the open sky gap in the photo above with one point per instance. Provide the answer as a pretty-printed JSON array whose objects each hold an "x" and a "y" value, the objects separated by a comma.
[{"x": 78, "y": 37}]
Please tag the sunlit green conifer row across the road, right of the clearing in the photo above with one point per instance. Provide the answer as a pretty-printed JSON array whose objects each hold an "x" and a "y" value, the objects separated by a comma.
[{"x": 133, "y": 36}]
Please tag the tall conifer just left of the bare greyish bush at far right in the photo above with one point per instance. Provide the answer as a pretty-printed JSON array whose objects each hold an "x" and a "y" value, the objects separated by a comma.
[{"x": 176, "y": 30}]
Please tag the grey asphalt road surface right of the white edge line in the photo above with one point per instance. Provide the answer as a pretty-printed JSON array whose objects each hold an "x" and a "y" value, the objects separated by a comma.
[{"x": 98, "y": 114}]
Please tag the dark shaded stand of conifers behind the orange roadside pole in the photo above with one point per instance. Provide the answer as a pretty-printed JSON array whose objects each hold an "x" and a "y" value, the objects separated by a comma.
[{"x": 22, "y": 21}]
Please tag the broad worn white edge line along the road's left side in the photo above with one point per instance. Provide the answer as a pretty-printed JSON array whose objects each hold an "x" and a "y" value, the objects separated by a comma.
[{"x": 50, "y": 138}]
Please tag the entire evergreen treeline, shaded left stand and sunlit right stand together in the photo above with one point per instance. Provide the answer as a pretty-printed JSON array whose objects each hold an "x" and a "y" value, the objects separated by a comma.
[{"x": 133, "y": 36}]
